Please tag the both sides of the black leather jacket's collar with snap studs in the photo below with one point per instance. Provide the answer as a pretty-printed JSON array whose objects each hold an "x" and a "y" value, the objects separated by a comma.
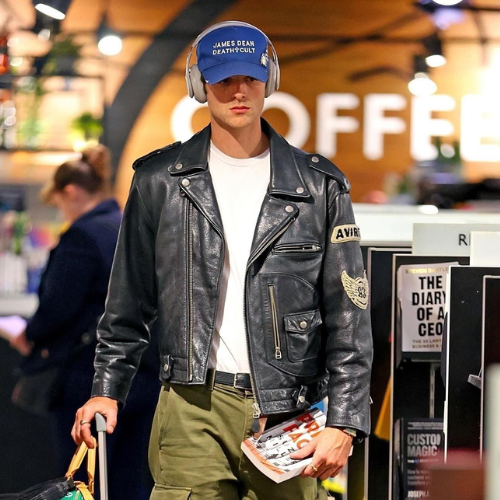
[{"x": 286, "y": 179}]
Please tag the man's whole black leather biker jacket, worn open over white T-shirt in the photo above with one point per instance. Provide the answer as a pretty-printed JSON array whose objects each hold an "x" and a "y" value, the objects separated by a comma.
[{"x": 307, "y": 338}]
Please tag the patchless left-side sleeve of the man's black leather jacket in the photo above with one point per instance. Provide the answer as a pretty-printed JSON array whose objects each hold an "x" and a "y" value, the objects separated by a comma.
[{"x": 123, "y": 332}]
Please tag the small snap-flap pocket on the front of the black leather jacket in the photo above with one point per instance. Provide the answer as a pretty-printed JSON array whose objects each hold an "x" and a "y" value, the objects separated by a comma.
[{"x": 303, "y": 338}]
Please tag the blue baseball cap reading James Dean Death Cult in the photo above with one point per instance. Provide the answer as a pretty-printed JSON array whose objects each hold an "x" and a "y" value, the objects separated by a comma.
[{"x": 231, "y": 51}]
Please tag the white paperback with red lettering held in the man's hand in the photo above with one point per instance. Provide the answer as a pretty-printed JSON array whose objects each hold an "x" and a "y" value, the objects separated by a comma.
[{"x": 270, "y": 453}]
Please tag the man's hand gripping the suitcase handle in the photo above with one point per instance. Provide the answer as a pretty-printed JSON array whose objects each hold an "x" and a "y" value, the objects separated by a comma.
[{"x": 81, "y": 428}]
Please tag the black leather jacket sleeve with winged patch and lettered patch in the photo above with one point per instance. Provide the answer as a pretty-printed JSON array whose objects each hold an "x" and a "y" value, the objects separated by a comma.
[{"x": 347, "y": 318}]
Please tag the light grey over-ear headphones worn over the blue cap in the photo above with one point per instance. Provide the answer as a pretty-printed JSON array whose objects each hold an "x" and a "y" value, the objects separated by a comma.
[{"x": 194, "y": 79}]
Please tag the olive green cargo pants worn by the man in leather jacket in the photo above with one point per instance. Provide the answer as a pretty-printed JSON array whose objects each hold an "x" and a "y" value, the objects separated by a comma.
[{"x": 195, "y": 452}]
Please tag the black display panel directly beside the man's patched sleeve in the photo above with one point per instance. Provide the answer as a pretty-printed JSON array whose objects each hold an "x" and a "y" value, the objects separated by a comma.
[{"x": 379, "y": 272}]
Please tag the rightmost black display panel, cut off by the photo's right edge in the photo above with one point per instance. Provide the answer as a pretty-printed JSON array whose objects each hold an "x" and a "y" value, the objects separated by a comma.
[{"x": 491, "y": 337}]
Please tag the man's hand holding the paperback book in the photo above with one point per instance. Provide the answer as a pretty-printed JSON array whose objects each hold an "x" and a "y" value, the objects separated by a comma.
[{"x": 331, "y": 451}]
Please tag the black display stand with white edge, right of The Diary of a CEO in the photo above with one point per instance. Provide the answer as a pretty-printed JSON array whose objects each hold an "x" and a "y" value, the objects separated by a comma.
[{"x": 463, "y": 360}]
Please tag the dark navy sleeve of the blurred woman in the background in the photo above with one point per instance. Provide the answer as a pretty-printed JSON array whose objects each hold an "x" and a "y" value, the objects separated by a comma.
[{"x": 66, "y": 285}]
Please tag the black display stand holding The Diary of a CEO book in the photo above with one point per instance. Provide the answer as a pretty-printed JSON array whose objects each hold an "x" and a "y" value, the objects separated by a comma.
[{"x": 417, "y": 391}]
